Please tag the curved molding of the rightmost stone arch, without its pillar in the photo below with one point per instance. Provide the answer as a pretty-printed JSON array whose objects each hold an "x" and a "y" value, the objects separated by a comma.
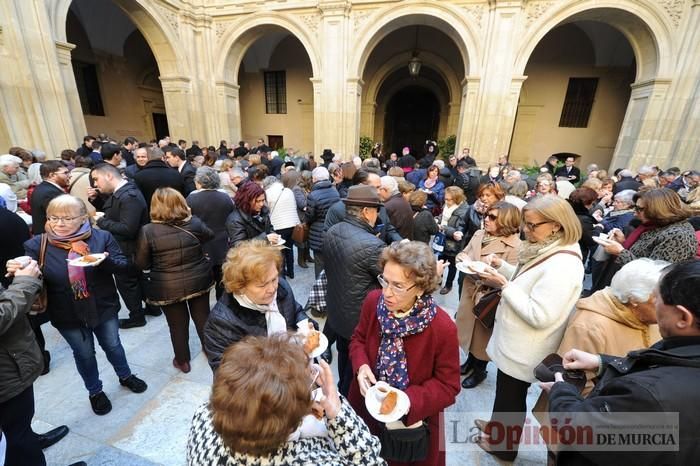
[{"x": 642, "y": 22}]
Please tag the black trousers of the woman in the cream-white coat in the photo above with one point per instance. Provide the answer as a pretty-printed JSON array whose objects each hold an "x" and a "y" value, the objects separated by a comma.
[{"x": 509, "y": 411}]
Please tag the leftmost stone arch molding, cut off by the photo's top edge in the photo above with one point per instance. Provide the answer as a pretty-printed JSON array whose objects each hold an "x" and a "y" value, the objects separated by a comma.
[{"x": 148, "y": 18}]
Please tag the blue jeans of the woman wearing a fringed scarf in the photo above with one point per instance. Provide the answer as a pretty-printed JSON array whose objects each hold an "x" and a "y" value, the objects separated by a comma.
[{"x": 82, "y": 343}]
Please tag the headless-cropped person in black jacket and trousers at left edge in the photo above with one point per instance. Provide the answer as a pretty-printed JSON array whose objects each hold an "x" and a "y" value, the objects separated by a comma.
[{"x": 21, "y": 363}]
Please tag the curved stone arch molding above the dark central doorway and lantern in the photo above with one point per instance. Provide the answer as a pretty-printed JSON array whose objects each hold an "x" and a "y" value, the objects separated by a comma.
[{"x": 455, "y": 23}]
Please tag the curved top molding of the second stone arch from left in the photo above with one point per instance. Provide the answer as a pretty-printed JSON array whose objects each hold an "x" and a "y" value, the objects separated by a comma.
[{"x": 235, "y": 42}]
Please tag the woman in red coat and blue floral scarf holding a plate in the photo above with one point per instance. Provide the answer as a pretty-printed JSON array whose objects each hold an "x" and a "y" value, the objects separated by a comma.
[{"x": 403, "y": 338}]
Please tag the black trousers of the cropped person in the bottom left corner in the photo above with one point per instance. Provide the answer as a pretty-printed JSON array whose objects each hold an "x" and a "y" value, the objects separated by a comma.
[{"x": 16, "y": 423}]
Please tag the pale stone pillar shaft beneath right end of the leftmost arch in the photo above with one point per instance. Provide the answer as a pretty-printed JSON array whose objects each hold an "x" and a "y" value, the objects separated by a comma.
[{"x": 176, "y": 94}]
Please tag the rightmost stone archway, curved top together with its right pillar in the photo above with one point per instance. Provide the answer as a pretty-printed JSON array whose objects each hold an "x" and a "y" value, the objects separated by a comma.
[{"x": 648, "y": 35}]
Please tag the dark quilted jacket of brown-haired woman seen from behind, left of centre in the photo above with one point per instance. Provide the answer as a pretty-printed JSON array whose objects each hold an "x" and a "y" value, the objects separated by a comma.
[{"x": 175, "y": 257}]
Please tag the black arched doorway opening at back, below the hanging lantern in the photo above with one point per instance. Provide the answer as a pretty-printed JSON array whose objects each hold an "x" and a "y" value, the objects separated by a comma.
[{"x": 412, "y": 117}]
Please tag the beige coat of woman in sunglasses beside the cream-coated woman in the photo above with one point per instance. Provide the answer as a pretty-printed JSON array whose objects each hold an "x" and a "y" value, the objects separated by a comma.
[{"x": 473, "y": 338}]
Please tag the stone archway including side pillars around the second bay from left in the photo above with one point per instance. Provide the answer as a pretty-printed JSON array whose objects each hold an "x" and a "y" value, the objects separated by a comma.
[{"x": 235, "y": 43}]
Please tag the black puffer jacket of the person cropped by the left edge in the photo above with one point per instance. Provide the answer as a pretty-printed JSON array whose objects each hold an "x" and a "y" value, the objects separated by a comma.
[{"x": 20, "y": 357}]
